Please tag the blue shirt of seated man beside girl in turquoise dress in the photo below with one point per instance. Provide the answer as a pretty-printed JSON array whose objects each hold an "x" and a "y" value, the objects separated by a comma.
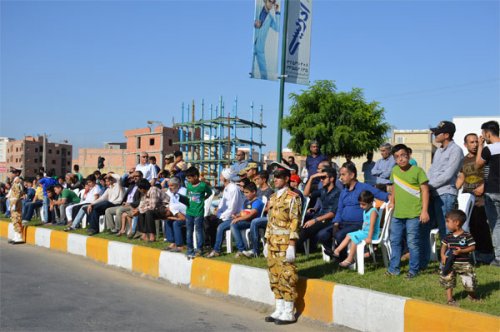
[{"x": 349, "y": 209}]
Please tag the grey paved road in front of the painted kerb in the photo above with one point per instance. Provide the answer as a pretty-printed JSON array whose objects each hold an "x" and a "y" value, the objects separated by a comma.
[{"x": 43, "y": 290}]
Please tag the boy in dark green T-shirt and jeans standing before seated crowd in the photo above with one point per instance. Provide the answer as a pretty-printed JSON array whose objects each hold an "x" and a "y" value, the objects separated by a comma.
[{"x": 197, "y": 193}]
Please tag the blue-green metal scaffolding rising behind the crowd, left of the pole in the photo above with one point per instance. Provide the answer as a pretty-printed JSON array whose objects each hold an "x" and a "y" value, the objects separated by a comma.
[{"x": 211, "y": 143}]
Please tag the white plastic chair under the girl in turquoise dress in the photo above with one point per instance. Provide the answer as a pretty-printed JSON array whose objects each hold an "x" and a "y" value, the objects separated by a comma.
[{"x": 383, "y": 240}]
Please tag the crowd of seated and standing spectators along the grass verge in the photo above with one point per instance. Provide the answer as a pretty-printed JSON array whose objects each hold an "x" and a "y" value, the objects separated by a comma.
[{"x": 342, "y": 210}]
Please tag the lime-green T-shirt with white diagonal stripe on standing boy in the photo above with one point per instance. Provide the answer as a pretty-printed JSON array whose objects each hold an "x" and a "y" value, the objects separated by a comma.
[{"x": 407, "y": 195}]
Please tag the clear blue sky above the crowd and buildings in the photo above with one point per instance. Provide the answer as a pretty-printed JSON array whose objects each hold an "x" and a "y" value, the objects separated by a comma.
[{"x": 86, "y": 71}]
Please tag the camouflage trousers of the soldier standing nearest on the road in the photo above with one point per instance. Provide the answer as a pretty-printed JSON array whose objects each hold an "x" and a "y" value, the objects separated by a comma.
[{"x": 283, "y": 276}]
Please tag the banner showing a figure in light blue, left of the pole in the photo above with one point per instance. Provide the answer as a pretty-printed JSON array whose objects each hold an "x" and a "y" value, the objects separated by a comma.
[{"x": 266, "y": 39}]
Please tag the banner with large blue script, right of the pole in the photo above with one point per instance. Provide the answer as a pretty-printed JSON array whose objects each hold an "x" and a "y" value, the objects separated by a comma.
[{"x": 298, "y": 41}]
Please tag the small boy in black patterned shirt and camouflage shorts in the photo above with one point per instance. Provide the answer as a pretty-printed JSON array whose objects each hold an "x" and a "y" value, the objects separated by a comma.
[{"x": 456, "y": 250}]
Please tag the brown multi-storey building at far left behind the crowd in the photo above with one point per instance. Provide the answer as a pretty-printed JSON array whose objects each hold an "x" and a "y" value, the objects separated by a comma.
[{"x": 28, "y": 155}]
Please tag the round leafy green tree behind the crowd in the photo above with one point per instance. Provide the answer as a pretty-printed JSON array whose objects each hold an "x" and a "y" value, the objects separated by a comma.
[{"x": 343, "y": 123}]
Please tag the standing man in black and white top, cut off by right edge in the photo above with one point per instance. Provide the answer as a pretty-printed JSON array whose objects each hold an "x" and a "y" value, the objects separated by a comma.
[{"x": 490, "y": 156}]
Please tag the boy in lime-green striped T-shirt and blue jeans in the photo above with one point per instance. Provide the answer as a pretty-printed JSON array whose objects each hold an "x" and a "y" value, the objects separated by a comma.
[{"x": 410, "y": 200}]
